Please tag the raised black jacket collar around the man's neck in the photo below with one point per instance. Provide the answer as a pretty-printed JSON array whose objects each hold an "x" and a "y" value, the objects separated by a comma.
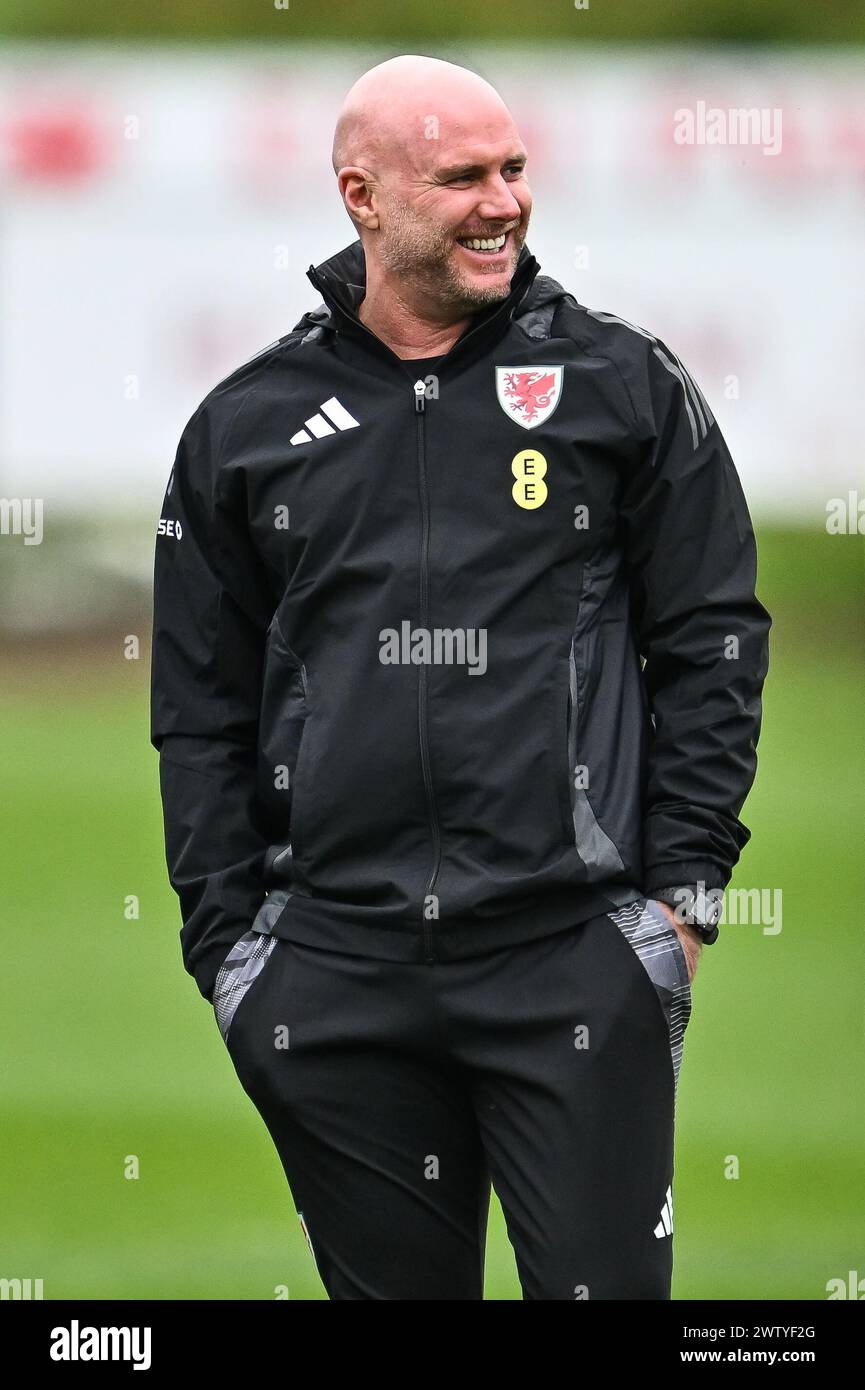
[{"x": 341, "y": 281}]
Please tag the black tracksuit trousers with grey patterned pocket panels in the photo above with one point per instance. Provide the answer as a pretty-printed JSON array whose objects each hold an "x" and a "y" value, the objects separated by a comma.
[{"x": 396, "y": 1092}]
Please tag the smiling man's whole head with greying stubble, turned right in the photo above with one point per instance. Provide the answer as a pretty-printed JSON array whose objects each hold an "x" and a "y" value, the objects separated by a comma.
[{"x": 437, "y": 186}]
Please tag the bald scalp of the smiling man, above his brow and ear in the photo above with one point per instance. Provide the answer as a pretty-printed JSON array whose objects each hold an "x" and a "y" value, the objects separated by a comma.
[{"x": 405, "y": 101}]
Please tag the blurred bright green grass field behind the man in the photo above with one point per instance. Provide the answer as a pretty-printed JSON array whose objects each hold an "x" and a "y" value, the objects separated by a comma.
[{"x": 109, "y": 1050}]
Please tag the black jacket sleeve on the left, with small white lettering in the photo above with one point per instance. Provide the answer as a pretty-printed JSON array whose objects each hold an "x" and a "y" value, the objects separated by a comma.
[{"x": 212, "y": 611}]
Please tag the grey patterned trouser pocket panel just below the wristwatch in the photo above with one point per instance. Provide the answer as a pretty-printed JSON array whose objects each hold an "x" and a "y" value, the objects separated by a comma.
[{"x": 656, "y": 943}]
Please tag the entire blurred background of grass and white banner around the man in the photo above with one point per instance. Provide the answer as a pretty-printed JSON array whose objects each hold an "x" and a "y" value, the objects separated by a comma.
[{"x": 165, "y": 186}]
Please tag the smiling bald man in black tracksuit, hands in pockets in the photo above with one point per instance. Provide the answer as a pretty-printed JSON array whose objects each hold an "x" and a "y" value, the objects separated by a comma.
[{"x": 457, "y": 689}]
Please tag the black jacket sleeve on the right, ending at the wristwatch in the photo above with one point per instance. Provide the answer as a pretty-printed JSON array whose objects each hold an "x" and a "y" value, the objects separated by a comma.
[{"x": 702, "y": 632}]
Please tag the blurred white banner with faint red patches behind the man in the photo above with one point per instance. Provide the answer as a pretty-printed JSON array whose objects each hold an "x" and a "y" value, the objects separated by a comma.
[{"x": 159, "y": 211}]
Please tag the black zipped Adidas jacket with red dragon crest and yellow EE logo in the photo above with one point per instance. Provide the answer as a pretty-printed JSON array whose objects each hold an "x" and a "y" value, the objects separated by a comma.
[{"x": 440, "y": 668}]
